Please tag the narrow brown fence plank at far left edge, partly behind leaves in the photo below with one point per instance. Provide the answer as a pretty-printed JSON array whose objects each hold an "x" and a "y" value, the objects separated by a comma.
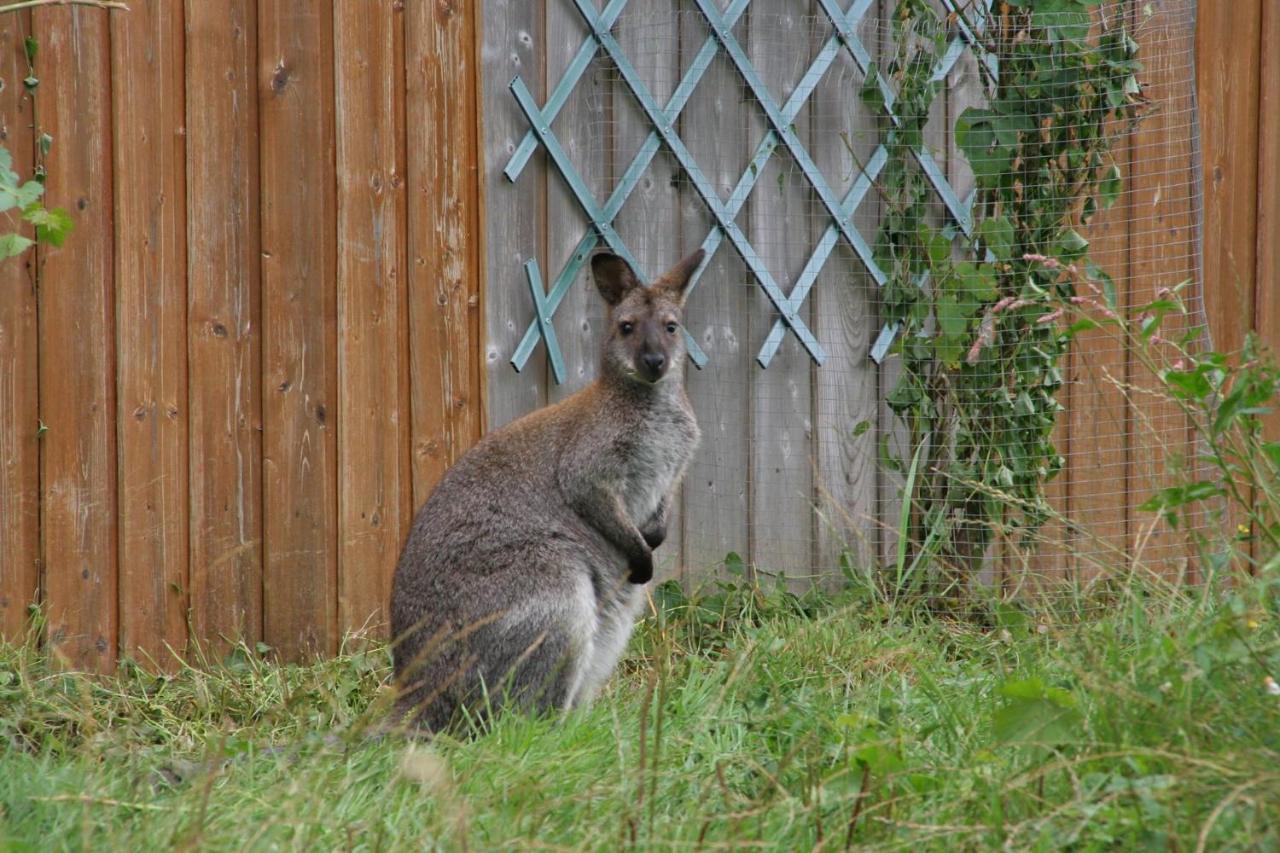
[{"x": 20, "y": 400}]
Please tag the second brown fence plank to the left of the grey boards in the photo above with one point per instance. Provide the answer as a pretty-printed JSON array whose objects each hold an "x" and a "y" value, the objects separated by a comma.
[{"x": 374, "y": 476}]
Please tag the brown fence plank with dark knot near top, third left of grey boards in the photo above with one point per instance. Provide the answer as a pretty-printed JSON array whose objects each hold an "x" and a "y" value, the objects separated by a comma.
[{"x": 299, "y": 317}]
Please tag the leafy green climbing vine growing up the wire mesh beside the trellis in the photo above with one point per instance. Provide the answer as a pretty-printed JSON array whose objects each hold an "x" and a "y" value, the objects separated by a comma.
[{"x": 980, "y": 344}]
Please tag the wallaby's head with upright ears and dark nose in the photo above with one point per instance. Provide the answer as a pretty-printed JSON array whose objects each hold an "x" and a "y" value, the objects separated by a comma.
[{"x": 644, "y": 323}]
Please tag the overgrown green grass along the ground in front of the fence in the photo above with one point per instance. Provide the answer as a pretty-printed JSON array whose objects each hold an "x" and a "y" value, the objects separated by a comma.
[{"x": 744, "y": 719}]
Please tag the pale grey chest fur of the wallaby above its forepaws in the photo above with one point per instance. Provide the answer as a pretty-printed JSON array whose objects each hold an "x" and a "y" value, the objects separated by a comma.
[{"x": 656, "y": 455}]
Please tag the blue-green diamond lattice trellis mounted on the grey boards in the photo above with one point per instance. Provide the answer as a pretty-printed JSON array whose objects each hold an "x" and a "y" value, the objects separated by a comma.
[{"x": 662, "y": 118}]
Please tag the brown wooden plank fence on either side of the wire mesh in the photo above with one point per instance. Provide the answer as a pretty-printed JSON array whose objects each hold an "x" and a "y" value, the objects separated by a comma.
[{"x": 222, "y": 400}]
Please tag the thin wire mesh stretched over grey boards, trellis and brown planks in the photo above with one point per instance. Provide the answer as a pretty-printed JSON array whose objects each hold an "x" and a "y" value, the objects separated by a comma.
[{"x": 793, "y": 140}]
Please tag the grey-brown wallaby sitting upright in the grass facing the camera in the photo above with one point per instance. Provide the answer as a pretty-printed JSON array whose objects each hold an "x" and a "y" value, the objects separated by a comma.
[{"x": 524, "y": 572}]
